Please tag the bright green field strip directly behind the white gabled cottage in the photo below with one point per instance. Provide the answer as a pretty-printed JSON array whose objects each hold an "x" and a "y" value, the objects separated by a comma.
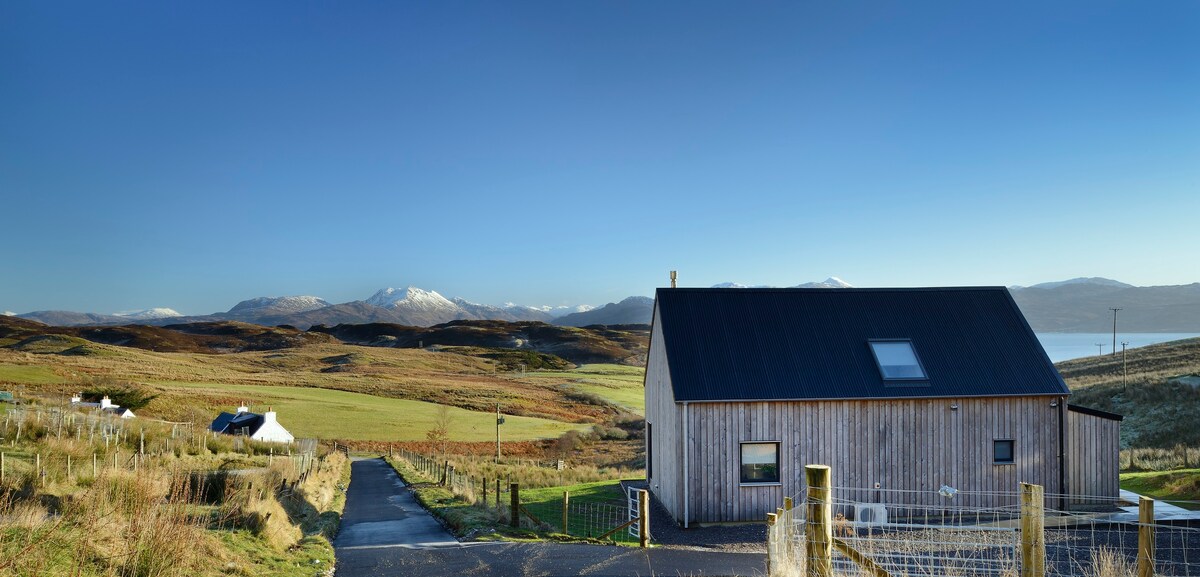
[{"x": 331, "y": 414}]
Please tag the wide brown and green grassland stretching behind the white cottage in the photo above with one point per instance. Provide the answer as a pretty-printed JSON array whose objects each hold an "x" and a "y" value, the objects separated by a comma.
[{"x": 340, "y": 392}]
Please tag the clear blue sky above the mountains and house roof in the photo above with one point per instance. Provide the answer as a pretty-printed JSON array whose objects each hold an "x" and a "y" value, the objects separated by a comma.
[{"x": 195, "y": 154}]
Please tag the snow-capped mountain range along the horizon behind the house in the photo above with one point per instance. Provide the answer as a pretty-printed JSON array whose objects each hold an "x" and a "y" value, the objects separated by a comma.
[{"x": 1077, "y": 305}]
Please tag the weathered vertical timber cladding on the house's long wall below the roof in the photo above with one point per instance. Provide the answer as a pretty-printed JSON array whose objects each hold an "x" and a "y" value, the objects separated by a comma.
[{"x": 903, "y": 444}]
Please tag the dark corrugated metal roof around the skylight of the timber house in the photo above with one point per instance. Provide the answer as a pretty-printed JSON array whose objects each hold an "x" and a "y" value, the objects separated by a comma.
[{"x": 752, "y": 345}]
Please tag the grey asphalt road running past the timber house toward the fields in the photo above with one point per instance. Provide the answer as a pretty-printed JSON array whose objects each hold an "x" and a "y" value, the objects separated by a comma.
[{"x": 386, "y": 533}]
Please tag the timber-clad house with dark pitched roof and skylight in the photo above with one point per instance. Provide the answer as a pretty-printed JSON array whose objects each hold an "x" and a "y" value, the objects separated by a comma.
[{"x": 896, "y": 389}]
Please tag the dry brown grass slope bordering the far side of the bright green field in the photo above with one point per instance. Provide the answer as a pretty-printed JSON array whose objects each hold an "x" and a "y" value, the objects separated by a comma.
[{"x": 417, "y": 375}]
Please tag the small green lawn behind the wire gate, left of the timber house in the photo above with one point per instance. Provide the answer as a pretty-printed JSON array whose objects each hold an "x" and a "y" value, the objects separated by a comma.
[{"x": 548, "y": 506}]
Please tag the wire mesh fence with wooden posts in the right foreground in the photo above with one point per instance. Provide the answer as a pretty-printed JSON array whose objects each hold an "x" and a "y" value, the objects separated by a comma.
[{"x": 910, "y": 533}]
